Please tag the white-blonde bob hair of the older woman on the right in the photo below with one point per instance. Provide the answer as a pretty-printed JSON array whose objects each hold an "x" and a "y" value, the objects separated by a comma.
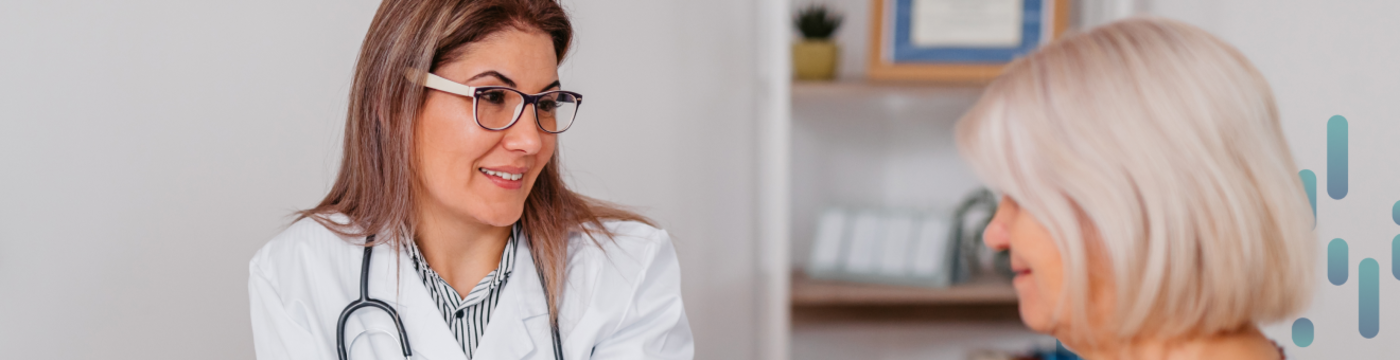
[{"x": 1167, "y": 142}]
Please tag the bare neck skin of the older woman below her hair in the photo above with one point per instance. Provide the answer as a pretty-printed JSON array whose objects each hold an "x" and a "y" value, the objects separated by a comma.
[{"x": 1248, "y": 344}]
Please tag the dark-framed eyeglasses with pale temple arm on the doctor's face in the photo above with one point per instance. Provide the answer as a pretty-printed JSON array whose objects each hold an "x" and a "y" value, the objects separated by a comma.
[{"x": 499, "y": 109}]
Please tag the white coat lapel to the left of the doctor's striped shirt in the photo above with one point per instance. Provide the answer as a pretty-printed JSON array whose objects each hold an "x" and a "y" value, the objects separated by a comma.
[{"x": 429, "y": 335}]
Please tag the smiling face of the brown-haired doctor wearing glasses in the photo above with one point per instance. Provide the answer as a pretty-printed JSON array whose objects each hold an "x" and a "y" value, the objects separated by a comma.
[{"x": 470, "y": 173}]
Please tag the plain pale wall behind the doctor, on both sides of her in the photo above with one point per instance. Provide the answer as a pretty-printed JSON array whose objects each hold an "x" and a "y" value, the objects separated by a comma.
[{"x": 150, "y": 148}]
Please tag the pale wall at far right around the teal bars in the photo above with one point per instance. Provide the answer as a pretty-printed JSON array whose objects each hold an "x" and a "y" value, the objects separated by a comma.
[{"x": 1324, "y": 60}]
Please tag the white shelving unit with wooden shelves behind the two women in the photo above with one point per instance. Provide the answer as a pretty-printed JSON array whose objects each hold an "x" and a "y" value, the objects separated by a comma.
[{"x": 862, "y": 145}]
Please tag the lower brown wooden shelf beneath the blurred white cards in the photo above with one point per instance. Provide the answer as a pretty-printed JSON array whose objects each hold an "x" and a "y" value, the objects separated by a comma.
[{"x": 822, "y": 293}]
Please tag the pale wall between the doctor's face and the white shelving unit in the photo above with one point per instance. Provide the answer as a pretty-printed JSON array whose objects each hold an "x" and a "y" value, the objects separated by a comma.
[{"x": 671, "y": 130}]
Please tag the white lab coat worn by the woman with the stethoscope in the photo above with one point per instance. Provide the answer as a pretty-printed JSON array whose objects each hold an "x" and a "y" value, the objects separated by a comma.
[{"x": 622, "y": 300}]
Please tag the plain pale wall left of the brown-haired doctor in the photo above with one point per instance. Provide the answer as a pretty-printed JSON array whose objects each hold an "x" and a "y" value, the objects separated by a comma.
[{"x": 149, "y": 149}]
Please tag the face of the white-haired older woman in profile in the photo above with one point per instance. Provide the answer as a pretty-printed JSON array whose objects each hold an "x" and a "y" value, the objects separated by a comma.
[{"x": 1041, "y": 271}]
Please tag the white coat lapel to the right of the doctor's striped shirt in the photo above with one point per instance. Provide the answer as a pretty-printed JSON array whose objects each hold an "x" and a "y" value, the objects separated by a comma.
[{"x": 520, "y": 326}]
